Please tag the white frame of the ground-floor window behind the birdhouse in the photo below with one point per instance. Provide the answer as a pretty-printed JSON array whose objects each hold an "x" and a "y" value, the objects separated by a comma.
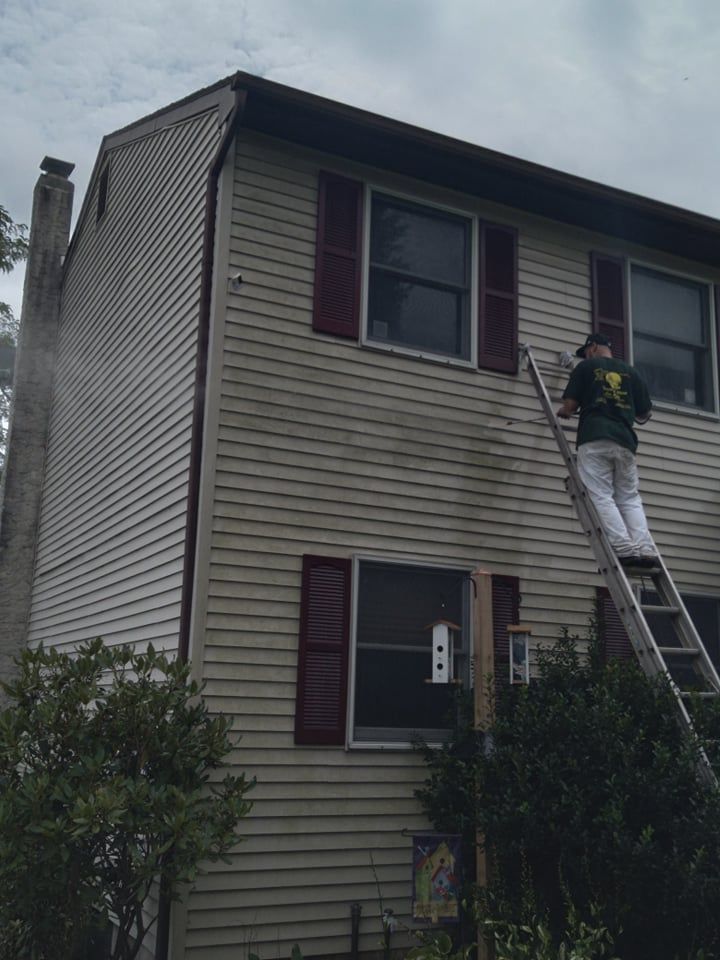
[{"x": 357, "y": 559}]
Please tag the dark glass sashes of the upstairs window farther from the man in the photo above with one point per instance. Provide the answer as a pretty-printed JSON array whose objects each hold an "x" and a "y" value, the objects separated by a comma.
[{"x": 419, "y": 288}]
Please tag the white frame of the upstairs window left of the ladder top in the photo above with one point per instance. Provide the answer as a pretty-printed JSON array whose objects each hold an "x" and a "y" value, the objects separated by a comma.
[{"x": 365, "y": 340}]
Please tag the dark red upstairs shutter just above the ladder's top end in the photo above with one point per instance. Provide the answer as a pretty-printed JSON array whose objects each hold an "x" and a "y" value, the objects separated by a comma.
[{"x": 498, "y": 306}]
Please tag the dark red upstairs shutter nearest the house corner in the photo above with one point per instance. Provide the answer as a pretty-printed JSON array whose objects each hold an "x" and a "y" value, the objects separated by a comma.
[{"x": 336, "y": 307}]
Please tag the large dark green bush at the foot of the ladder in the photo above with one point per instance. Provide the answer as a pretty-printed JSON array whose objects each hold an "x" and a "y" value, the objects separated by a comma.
[{"x": 585, "y": 784}]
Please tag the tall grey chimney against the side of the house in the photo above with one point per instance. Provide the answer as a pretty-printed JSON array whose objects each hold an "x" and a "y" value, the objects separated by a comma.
[{"x": 32, "y": 393}]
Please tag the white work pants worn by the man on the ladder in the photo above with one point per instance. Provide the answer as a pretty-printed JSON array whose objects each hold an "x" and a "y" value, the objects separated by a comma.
[{"x": 610, "y": 475}]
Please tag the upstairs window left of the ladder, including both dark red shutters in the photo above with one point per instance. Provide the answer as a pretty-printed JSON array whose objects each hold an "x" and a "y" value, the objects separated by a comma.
[{"x": 436, "y": 282}]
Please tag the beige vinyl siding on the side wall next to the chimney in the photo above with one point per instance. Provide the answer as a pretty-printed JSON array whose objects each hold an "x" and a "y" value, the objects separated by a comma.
[{"x": 112, "y": 526}]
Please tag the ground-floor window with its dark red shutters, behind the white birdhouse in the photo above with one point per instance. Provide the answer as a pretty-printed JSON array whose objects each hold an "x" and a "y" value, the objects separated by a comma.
[{"x": 395, "y": 607}]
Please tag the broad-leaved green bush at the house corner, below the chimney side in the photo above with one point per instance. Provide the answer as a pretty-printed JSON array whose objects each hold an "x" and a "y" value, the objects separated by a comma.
[{"x": 105, "y": 763}]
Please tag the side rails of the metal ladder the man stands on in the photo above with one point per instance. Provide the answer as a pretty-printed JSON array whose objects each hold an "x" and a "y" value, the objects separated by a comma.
[{"x": 627, "y": 603}]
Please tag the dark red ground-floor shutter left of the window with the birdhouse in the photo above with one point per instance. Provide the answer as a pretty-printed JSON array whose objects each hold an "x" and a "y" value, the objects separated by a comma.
[{"x": 323, "y": 651}]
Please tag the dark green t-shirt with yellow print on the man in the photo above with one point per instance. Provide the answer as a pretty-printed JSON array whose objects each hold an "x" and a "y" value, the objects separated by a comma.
[{"x": 611, "y": 394}]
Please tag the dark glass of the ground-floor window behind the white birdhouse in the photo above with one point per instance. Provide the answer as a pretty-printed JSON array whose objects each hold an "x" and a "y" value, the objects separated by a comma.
[{"x": 396, "y": 607}]
